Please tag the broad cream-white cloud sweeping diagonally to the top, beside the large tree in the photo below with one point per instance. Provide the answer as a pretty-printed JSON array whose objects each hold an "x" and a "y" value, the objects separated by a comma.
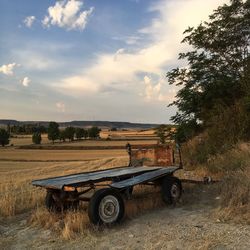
[{"x": 129, "y": 67}]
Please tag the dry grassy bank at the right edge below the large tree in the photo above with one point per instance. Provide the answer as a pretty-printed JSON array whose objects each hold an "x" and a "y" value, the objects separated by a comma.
[{"x": 233, "y": 168}]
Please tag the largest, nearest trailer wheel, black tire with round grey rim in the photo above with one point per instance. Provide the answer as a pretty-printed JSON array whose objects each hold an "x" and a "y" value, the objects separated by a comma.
[{"x": 106, "y": 207}]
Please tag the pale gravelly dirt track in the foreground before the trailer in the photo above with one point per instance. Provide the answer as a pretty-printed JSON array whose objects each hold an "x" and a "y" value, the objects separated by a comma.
[{"x": 190, "y": 225}]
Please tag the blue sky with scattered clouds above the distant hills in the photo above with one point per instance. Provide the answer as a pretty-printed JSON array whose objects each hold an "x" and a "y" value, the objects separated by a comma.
[{"x": 93, "y": 59}]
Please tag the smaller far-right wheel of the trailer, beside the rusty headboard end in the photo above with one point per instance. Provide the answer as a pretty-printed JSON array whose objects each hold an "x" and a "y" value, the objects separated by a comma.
[{"x": 171, "y": 190}]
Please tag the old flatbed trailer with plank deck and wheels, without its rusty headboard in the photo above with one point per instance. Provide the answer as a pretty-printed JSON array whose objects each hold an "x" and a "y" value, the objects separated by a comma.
[{"x": 106, "y": 205}]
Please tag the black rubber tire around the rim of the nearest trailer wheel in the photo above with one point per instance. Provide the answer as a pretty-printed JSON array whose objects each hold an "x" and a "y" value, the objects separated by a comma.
[{"x": 93, "y": 209}]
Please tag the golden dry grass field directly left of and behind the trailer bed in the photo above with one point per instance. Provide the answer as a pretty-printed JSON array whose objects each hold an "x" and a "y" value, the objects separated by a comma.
[{"x": 17, "y": 194}]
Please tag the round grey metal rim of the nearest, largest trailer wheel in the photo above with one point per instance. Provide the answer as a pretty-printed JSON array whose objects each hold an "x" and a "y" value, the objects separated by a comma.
[{"x": 109, "y": 209}]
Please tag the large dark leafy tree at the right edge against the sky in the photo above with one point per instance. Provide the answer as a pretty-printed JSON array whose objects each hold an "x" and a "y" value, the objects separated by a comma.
[{"x": 217, "y": 74}]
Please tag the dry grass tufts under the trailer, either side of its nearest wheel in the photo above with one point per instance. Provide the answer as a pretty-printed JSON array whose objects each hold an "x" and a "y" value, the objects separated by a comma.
[{"x": 70, "y": 224}]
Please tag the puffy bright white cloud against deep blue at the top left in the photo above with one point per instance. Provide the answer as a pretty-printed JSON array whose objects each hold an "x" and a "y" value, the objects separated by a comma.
[{"x": 67, "y": 14}]
